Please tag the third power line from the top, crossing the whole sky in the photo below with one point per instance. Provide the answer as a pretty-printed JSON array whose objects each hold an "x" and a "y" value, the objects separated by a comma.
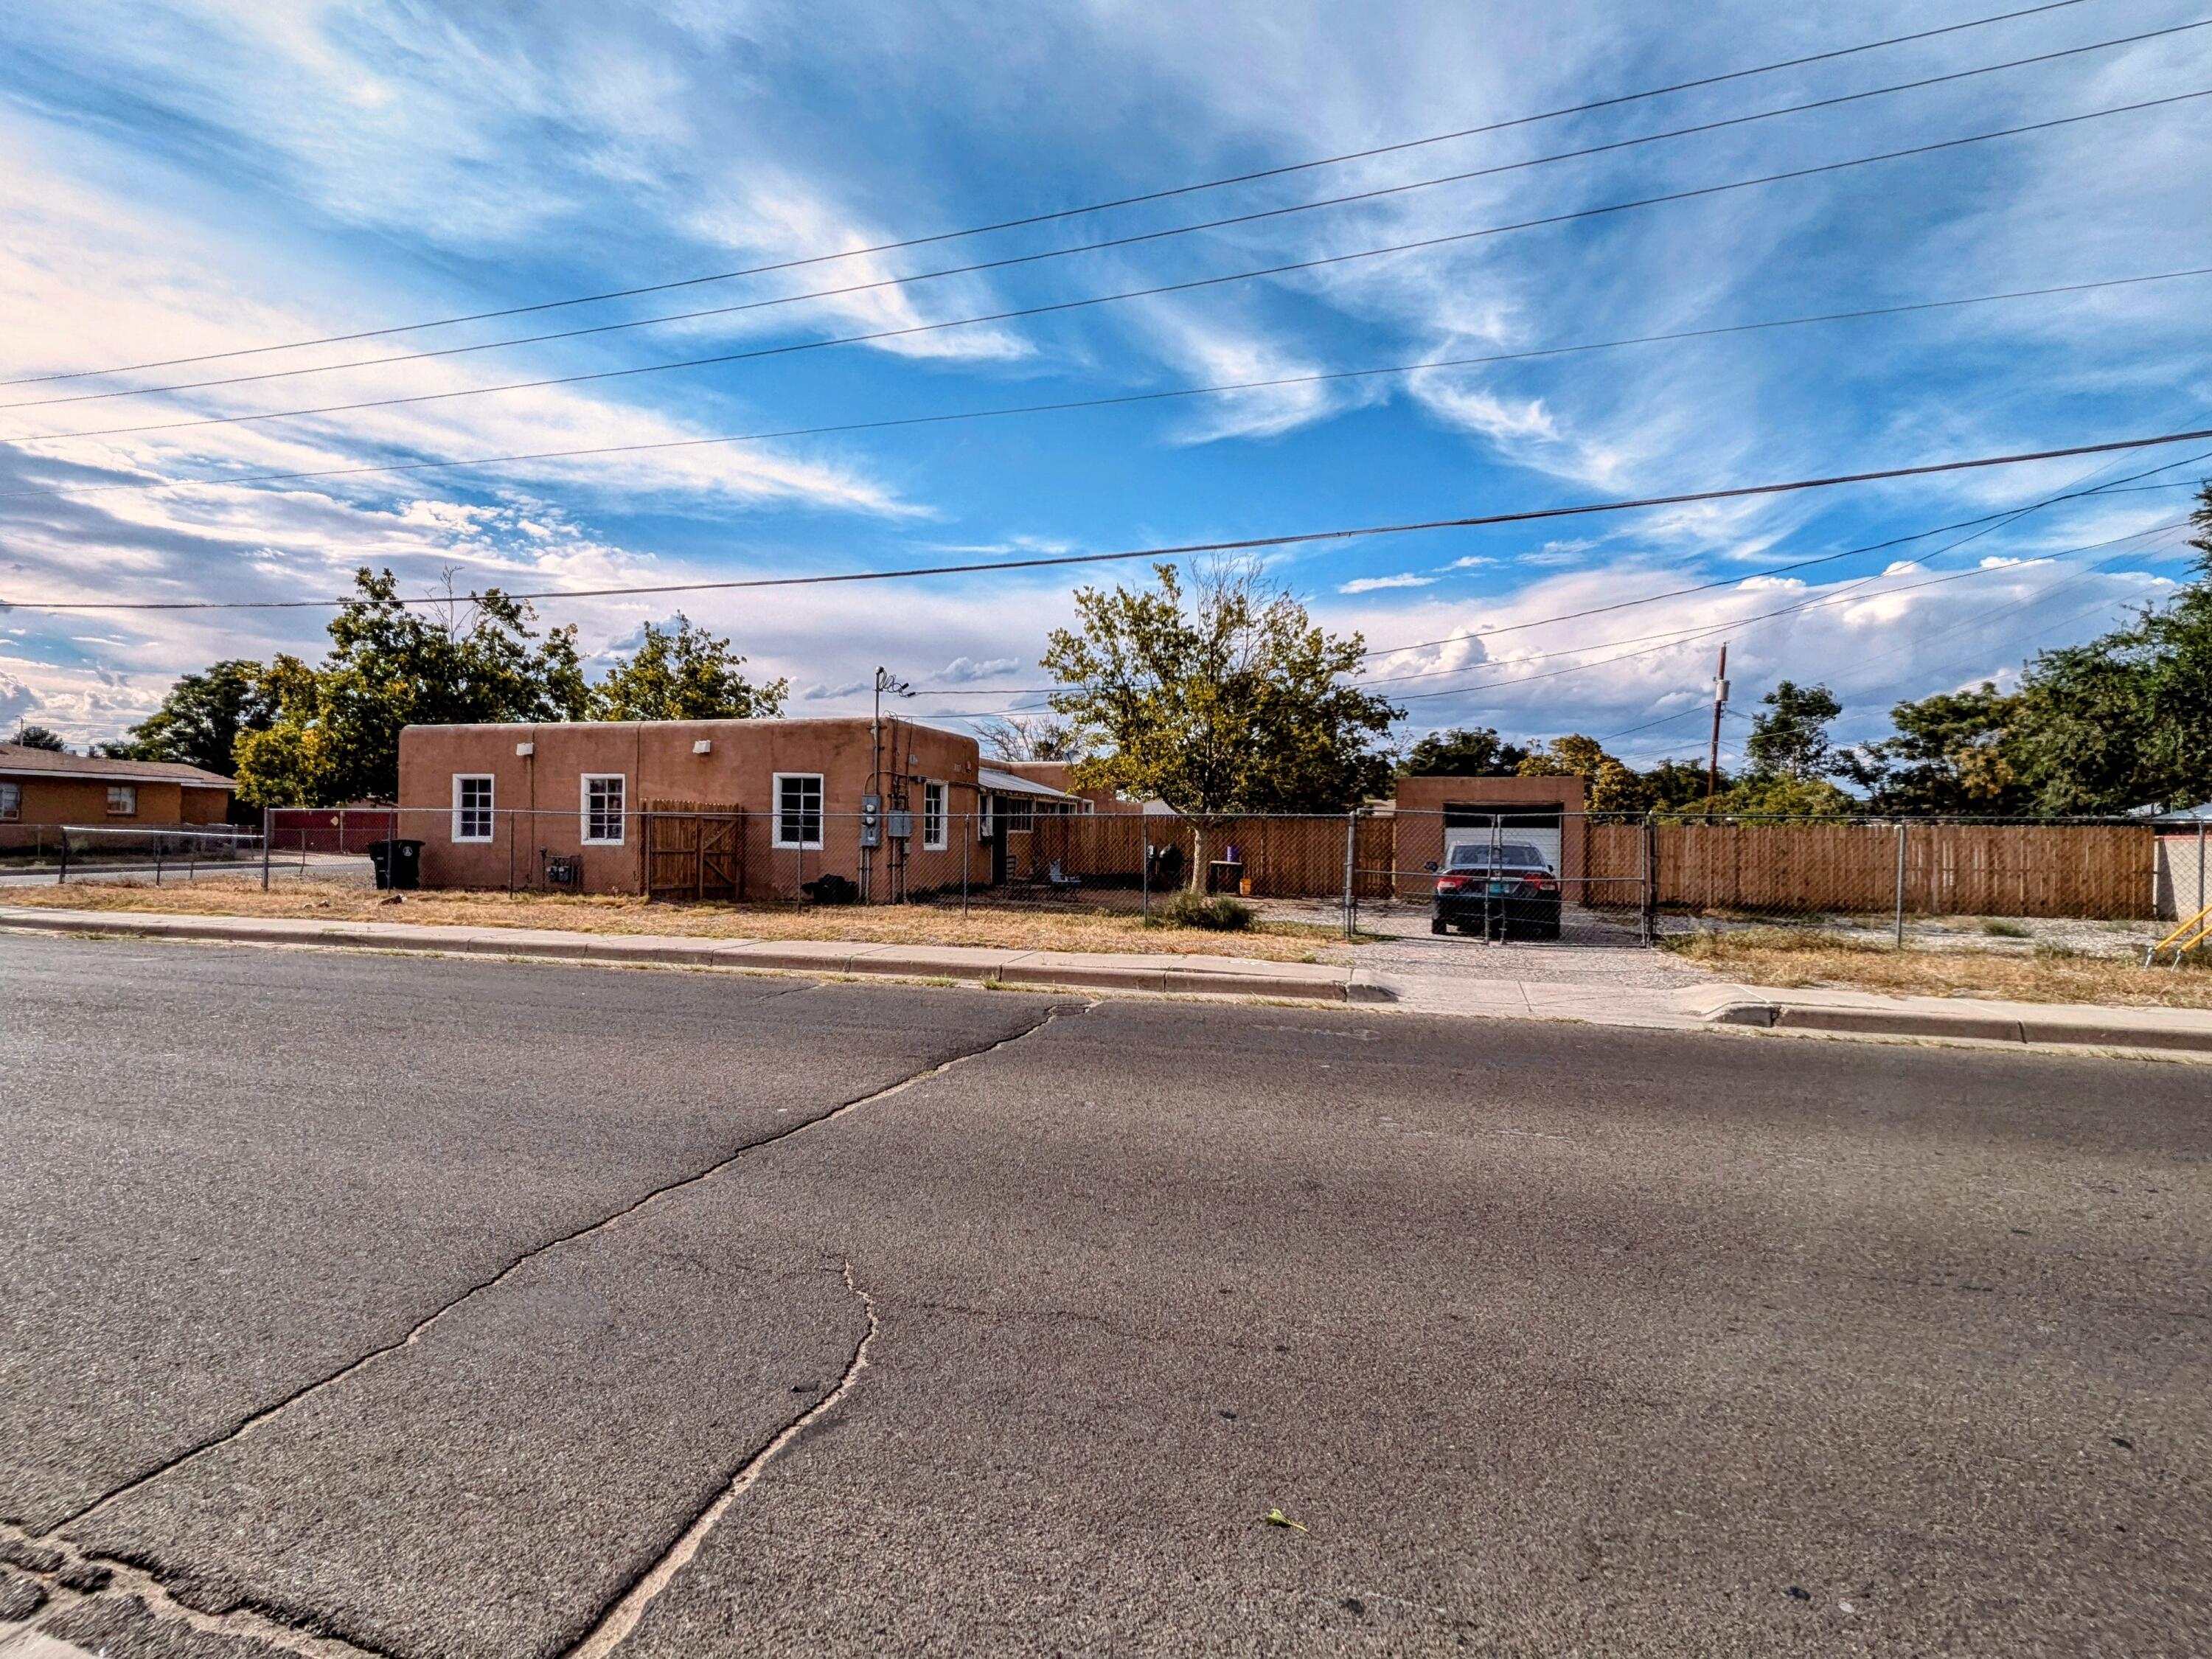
[{"x": 1136, "y": 293}]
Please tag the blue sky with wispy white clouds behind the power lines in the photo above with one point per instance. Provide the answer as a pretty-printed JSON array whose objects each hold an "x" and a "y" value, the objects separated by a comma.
[{"x": 198, "y": 178}]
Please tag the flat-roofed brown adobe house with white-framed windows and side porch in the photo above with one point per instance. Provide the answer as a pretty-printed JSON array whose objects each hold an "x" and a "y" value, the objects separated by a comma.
[{"x": 716, "y": 808}]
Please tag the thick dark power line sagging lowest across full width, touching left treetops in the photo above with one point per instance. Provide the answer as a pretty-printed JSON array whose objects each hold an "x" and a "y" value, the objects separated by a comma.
[{"x": 1244, "y": 545}]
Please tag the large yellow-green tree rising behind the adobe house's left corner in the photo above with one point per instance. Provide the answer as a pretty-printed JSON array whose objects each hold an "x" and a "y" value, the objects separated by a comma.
[{"x": 337, "y": 731}]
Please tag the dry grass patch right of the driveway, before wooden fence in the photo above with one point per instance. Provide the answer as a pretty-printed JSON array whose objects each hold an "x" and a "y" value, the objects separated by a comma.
[{"x": 1786, "y": 959}]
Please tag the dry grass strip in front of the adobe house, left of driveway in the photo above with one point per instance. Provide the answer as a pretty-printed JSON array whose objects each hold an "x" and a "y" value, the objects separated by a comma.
[{"x": 627, "y": 915}]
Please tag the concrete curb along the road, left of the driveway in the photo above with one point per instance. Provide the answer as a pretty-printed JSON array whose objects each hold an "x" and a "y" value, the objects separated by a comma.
[{"x": 1063, "y": 970}]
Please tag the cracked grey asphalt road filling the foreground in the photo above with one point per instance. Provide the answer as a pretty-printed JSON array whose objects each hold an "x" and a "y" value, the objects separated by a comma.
[{"x": 439, "y": 1308}]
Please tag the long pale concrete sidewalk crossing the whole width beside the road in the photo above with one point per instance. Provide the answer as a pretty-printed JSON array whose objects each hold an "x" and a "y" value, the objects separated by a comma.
[{"x": 1698, "y": 1008}]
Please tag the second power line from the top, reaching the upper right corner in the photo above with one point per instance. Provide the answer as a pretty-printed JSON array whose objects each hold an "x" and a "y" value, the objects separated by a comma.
[{"x": 1114, "y": 242}]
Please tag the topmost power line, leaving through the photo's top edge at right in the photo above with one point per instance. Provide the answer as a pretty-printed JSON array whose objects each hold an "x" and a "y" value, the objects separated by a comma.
[{"x": 1070, "y": 213}]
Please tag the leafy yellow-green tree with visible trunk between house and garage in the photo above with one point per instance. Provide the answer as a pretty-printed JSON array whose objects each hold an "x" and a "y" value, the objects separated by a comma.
[{"x": 1218, "y": 702}]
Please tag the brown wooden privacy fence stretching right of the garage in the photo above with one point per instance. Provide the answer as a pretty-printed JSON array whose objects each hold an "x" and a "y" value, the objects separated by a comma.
[{"x": 1948, "y": 868}]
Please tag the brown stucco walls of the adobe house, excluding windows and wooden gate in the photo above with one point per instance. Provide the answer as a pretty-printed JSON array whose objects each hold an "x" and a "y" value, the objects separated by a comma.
[{"x": 658, "y": 764}]
